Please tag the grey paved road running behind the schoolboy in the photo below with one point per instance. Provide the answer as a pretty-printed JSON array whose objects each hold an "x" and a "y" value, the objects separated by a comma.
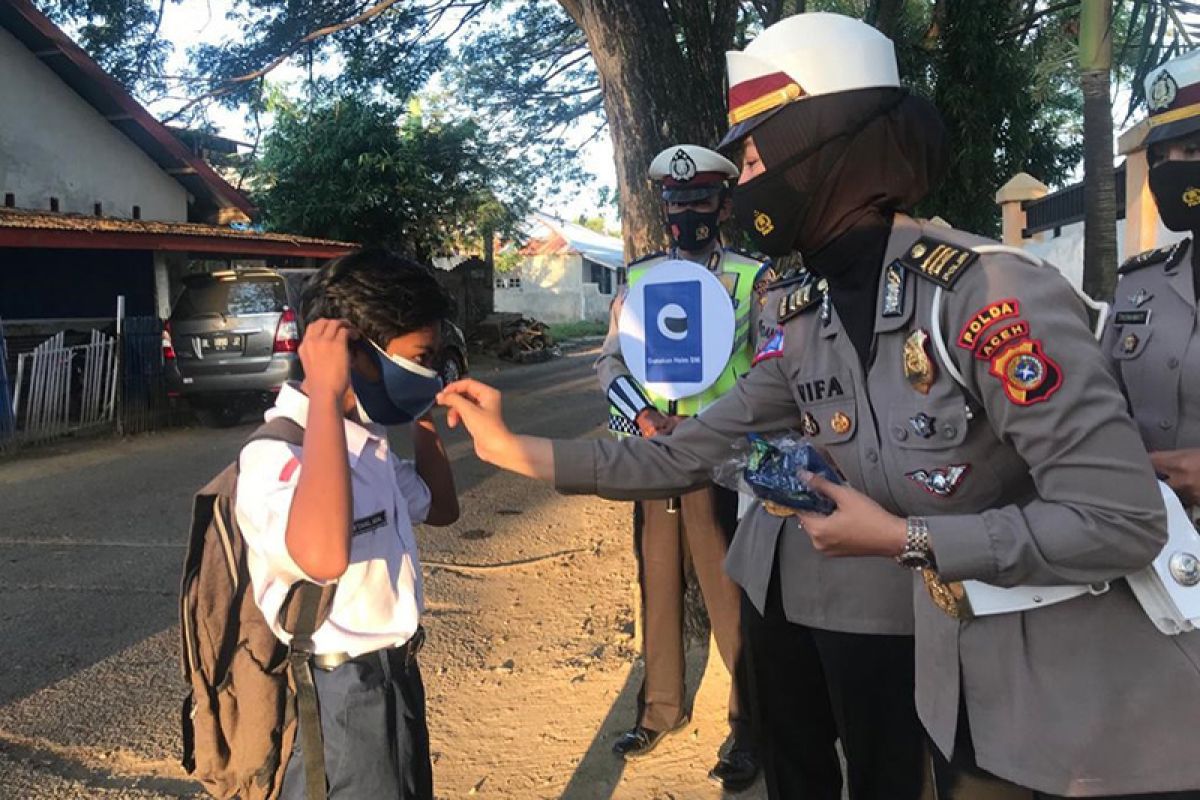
[{"x": 92, "y": 540}]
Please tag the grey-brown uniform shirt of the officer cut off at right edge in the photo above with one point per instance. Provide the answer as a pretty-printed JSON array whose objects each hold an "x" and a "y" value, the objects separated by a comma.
[{"x": 1153, "y": 340}]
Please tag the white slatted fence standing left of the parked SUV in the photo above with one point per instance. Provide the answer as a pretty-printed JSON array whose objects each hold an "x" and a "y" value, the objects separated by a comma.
[{"x": 64, "y": 389}]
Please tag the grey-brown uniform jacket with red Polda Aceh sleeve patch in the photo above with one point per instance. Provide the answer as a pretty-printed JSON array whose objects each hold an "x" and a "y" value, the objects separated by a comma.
[{"x": 1033, "y": 474}]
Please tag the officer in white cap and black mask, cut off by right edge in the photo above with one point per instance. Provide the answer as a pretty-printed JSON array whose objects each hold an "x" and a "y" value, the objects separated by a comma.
[{"x": 1153, "y": 339}]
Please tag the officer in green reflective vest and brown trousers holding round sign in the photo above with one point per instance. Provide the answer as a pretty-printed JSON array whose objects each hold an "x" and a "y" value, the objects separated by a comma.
[{"x": 700, "y": 525}]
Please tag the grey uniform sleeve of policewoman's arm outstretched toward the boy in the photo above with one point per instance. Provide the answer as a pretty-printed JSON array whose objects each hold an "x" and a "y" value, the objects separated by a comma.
[{"x": 662, "y": 467}]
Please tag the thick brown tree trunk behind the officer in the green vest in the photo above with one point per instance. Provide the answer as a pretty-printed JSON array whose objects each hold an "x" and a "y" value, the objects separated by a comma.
[{"x": 657, "y": 92}]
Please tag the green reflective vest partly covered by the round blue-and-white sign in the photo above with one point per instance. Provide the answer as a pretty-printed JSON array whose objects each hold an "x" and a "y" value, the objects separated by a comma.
[{"x": 739, "y": 274}]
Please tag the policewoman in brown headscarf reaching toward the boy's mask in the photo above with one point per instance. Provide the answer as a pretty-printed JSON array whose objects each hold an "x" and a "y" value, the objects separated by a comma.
[{"x": 985, "y": 444}]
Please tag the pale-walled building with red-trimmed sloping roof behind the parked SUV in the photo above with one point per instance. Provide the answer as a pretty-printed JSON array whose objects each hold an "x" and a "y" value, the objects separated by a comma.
[{"x": 100, "y": 200}]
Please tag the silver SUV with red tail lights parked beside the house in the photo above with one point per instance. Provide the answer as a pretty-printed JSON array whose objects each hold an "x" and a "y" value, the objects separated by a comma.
[{"x": 232, "y": 342}]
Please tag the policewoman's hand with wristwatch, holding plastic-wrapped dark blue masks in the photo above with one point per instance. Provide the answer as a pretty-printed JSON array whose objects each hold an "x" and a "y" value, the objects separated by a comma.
[{"x": 859, "y": 526}]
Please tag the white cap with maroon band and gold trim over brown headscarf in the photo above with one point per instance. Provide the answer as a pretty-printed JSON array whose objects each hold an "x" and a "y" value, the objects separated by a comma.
[{"x": 805, "y": 56}]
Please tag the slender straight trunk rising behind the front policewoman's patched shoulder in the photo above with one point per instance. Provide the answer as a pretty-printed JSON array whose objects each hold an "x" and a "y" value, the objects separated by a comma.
[{"x": 1100, "y": 182}]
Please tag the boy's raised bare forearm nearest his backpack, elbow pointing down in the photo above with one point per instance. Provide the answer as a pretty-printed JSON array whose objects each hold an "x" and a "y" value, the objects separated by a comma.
[{"x": 319, "y": 534}]
